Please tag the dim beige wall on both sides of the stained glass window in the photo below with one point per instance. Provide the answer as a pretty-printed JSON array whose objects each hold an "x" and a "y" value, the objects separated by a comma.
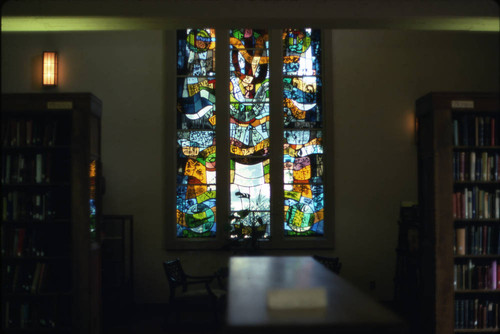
[{"x": 377, "y": 77}]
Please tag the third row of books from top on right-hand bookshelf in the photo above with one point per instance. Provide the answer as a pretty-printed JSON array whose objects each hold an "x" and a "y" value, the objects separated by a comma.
[{"x": 476, "y": 203}]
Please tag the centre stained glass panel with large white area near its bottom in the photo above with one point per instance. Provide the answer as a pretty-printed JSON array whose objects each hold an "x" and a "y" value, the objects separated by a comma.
[{"x": 249, "y": 133}]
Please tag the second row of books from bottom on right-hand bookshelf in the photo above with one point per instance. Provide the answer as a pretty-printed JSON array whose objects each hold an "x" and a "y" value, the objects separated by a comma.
[{"x": 472, "y": 276}]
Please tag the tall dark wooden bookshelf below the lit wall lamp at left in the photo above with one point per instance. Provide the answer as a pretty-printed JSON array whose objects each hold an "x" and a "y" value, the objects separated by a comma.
[{"x": 50, "y": 213}]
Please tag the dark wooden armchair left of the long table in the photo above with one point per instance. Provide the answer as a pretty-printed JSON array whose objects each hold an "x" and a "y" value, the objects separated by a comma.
[{"x": 191, "y": 296}]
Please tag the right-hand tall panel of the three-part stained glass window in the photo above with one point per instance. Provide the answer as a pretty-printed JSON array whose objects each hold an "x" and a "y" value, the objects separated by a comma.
[{"x": 303, "y": 148}]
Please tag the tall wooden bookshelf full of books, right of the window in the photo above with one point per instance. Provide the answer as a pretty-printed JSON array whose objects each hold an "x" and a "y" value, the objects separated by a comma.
[{"x": 459, "y": 192}]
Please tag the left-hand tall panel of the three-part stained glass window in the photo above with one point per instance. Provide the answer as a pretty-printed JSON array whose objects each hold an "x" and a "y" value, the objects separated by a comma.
[{"x": 196, "y": 133}]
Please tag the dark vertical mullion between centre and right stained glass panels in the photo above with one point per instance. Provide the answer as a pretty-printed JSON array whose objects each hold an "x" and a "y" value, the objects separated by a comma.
[{"x": 276, "y": 135}]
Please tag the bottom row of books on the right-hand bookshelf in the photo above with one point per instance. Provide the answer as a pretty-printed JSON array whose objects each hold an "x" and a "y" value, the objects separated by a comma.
[{"x": 473, "y": 313}]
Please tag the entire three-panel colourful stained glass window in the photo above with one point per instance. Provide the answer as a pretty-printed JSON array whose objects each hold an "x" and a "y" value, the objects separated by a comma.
[{"x": 245, "y": 144}]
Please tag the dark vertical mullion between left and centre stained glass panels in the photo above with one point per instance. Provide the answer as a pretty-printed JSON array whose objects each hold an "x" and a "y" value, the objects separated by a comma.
[{"x": 222, "y": 131}]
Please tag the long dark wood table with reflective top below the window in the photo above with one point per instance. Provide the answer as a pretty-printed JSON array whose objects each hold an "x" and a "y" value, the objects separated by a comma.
[{"x": 348, "y": 310}]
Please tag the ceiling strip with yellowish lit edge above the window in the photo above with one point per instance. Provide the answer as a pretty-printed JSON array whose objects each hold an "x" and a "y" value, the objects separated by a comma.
[{"x": 98, "y": 15}]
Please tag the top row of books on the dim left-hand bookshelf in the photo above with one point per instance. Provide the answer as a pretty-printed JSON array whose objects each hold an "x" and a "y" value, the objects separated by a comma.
[{"x": 30, "y": 132}]
